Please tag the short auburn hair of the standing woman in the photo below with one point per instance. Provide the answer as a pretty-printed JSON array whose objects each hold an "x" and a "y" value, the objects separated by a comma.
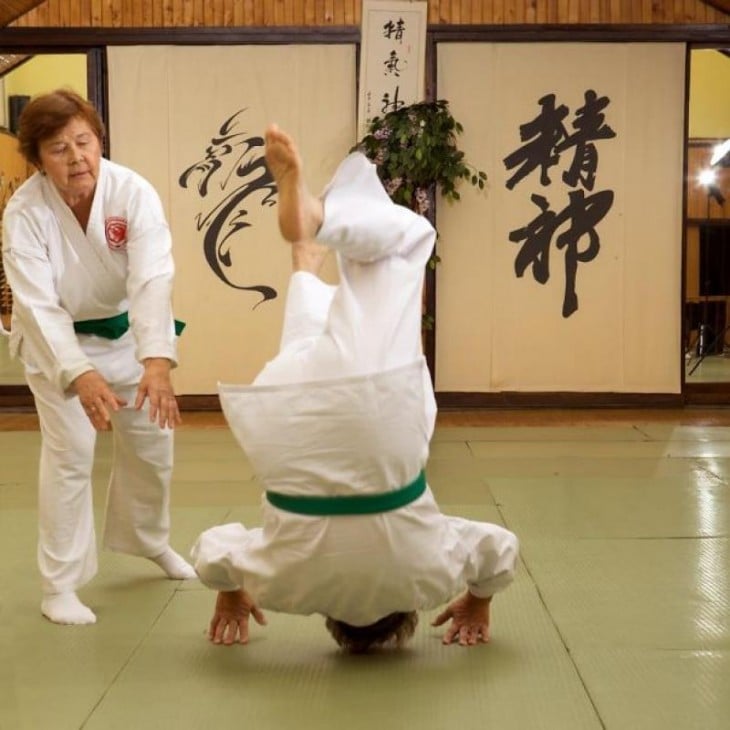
[{"x": 46, "y": 114}]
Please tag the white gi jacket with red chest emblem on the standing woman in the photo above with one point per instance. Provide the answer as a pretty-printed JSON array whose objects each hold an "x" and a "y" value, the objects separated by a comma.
[{"x": 59, "y": 275}]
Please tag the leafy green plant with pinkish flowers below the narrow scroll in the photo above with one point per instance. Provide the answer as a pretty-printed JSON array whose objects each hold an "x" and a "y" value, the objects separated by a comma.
[{"x": 415, "y": 152}]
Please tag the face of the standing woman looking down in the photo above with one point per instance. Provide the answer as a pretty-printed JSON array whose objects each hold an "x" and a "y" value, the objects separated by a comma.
[{"x": 71, "y": 158}]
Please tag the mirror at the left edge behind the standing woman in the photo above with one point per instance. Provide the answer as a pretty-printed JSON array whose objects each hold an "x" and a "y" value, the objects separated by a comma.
[{"x": 35, "y": 75}]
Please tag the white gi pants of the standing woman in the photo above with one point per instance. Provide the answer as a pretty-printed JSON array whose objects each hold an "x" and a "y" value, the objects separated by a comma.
[{"x": 137, "y": 509}]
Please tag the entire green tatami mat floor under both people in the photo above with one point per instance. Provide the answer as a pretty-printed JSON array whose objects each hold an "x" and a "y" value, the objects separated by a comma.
[{"x": 619, "y": 618}]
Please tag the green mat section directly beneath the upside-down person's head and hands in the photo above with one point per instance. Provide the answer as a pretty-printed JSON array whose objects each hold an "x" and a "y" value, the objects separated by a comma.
[{"x": 291, "y": 675}]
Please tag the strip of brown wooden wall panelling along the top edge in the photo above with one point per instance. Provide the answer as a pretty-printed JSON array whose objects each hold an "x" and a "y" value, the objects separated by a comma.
[{"x": 243, "y": 13}]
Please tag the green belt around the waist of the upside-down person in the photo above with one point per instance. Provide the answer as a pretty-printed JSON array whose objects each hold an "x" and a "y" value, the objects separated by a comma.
[{"x": 349, "y": 504}]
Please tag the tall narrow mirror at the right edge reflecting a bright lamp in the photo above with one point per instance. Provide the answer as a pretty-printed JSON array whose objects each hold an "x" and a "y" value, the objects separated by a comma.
[{"x": 707, "y": 262}]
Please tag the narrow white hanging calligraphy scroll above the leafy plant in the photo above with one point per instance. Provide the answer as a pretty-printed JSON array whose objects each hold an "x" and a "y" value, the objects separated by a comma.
[{"x": 393, "y": 58}]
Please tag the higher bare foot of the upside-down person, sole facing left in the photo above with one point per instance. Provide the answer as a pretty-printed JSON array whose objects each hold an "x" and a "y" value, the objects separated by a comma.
[{"x": 300, "y": 213}]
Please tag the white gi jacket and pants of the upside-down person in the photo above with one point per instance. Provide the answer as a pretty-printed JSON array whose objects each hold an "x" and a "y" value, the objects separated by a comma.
[{"x": 347, "y": 407}]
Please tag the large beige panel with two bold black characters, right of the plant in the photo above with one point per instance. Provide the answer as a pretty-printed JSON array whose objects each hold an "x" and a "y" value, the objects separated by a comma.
[{"x": 566, "y": 274}]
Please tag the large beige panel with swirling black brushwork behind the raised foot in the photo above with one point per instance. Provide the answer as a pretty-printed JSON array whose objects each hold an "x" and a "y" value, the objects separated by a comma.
[{"x": 191, "y": 120}]
